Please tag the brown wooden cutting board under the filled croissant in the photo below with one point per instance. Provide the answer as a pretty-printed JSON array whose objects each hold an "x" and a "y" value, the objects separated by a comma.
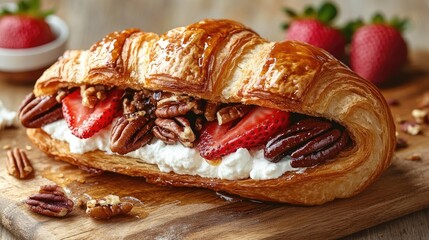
[{"x": 177, "y": 213}]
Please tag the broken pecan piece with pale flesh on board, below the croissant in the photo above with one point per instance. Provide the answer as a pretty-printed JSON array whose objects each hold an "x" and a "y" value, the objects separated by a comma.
[{"x": 107, "y": 207}]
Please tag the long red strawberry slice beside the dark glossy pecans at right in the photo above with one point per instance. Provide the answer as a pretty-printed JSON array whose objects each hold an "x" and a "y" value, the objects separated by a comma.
[{"x": 259, "y": 125}]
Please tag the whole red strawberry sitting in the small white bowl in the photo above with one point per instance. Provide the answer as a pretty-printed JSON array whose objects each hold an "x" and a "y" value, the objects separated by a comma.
[{"x": 25, "y": 27}]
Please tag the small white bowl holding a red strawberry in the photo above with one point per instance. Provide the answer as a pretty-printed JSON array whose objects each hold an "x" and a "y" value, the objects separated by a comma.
[{"x": 30, "y": 40}]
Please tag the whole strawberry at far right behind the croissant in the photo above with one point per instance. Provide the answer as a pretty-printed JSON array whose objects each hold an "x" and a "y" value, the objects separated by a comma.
[{"x": 378, "y": 51}]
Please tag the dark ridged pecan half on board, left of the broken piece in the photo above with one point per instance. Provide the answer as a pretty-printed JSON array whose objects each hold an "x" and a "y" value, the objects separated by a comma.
[{"x": 50, "y": 201}]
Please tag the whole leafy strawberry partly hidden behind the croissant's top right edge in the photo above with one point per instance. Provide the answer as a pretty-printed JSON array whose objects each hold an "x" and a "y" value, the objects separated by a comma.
[{"x": 314, "y": 26}]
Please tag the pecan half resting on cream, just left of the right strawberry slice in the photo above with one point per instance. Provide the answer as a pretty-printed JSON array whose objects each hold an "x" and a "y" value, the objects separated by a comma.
[{"x": 175, "y": 129}]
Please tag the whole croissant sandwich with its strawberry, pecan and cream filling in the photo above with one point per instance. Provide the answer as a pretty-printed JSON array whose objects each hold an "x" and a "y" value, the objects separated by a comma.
[{"x": 214, "y": 105}]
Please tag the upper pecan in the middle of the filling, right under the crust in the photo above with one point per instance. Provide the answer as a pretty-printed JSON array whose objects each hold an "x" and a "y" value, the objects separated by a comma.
[{"x": 175, "y": 106}]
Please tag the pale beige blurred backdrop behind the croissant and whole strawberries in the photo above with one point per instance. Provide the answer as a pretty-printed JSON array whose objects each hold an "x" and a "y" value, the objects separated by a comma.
[{"x": 90, "y": 20}]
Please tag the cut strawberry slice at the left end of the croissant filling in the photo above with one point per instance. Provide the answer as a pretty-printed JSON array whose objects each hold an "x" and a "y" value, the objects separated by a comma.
[{"x": 84, "y": 121}]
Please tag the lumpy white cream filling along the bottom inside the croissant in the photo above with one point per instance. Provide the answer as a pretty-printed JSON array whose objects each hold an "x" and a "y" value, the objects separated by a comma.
[{"x": 176, "y": 158}]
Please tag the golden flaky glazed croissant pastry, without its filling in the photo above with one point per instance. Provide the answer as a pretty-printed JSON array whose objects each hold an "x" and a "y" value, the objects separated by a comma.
[{"x": 224, "y": 62}]
